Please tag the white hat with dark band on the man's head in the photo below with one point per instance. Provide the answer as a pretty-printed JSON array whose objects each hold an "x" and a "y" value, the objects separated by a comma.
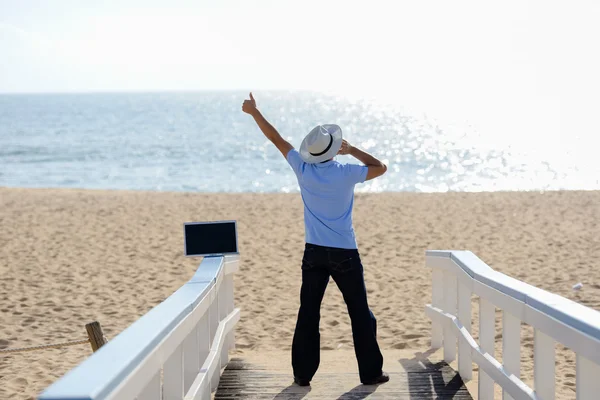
[{"x": 321, "y": 144}]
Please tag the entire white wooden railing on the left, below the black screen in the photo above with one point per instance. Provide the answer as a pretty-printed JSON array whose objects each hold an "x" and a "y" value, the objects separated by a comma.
[{"x": 175, "y": 351}]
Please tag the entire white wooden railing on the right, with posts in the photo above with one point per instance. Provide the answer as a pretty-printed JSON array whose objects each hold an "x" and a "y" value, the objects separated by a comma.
[{"x": 457, "y": 275}]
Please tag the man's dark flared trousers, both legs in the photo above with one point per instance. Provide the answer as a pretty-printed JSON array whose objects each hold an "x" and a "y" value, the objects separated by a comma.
[{"x": 345, "y": 267}]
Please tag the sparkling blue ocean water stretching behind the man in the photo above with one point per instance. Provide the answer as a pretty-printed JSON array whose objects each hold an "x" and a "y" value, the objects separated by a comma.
[{"x": 202, "y": 142}]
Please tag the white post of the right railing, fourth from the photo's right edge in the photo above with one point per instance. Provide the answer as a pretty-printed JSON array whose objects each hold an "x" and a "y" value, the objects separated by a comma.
[{"x": 487, "y": 338}]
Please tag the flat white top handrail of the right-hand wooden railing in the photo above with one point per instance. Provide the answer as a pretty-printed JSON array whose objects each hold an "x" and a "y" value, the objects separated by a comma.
[{"x": 575, "y": 315}]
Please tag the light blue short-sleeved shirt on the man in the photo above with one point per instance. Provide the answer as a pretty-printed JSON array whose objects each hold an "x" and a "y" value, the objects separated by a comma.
[{"x": 328, "y": 194}]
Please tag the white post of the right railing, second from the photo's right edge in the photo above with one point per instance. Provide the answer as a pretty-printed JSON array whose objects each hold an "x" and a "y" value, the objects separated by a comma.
[{"x": 544, "y": 362}]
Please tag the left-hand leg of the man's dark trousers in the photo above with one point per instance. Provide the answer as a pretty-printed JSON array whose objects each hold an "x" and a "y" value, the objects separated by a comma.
[{"x": 307, "y": 339}]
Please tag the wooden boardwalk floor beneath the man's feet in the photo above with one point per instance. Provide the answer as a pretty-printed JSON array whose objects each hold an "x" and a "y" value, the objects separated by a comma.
[{"x": 268, "y": 375}]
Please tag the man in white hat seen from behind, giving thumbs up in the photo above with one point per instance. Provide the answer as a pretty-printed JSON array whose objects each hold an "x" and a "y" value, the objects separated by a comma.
[{"x": 327, "y": 189}]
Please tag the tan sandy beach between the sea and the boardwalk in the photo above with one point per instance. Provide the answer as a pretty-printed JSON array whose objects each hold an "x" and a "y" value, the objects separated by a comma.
[{"x": 69, "y": 257}]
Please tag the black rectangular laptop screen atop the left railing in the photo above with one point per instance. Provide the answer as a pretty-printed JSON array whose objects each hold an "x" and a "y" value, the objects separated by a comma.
[{"x": 203, "y": 238}]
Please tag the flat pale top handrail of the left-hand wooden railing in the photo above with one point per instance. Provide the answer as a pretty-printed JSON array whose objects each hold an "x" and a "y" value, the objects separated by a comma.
[{"x": 97, "y": 376}]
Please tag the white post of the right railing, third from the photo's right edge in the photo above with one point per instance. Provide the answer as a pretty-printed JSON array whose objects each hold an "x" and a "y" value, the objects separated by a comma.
[{"x": 511, "y": 347}]
